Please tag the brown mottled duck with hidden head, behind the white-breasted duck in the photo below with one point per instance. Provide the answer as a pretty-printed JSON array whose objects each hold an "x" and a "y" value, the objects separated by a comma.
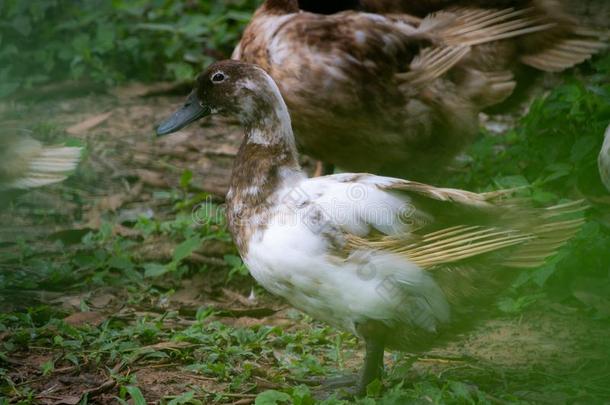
[{"x": 397, "y": 94}]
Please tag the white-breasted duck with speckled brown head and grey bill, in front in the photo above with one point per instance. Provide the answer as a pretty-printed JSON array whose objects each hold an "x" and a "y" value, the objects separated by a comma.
[{"x": 400, "y": 264}]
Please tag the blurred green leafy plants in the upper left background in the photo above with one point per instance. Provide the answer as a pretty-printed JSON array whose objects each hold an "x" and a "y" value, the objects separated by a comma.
[{"x": 42, "y": 41}]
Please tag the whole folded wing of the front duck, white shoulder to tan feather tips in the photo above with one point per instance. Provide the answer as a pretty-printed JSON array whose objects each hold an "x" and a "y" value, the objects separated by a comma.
[{"x": 433, "y": 226}]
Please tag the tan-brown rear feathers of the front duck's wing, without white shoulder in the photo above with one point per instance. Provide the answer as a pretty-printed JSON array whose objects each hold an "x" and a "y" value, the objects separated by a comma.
[{"x": 468, "y": 226}]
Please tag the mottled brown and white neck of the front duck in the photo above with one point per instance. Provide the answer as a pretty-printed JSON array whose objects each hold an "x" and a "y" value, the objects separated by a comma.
[{"x": 266, "y": 162}]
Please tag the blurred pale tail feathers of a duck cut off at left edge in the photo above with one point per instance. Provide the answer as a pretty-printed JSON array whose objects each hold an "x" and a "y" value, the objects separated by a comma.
[{"x": 26, "y": 163}]
